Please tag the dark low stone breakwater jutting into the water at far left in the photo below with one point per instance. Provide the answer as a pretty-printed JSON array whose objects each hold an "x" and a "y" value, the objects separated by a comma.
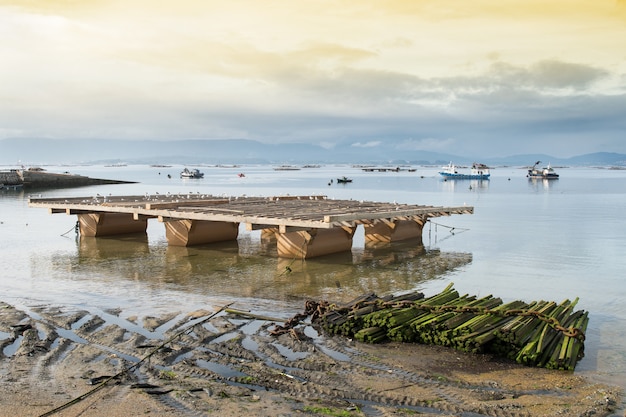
[{"x": 44, "y": 179}]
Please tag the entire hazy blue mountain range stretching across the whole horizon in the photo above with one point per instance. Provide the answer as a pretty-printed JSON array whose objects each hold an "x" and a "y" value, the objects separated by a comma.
[{"x": 31, "y": 152}]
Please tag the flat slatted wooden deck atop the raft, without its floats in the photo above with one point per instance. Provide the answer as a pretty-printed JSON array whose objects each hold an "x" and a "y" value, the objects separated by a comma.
[{"x": 283, "y": 212}]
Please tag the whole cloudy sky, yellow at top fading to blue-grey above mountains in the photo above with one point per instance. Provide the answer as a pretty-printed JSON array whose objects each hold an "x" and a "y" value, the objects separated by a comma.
[{"x": 497, "y": 77}]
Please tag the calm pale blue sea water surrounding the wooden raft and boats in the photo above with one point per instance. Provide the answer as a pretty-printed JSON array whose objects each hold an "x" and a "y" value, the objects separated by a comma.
[{"x": 528, "y": 240}]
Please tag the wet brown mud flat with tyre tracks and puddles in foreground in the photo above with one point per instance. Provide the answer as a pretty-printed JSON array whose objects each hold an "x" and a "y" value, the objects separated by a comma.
[{"x": 98, "y": 363}]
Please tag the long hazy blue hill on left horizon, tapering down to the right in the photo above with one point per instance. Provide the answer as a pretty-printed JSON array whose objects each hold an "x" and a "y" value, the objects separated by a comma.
[{"x": 42, "y": 152}]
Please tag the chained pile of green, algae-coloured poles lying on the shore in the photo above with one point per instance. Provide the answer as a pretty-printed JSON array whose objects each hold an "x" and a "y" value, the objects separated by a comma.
[{"x": 540, "y": 333}]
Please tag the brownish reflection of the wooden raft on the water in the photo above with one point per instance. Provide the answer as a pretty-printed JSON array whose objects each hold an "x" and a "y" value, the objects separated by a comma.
[{"x": 249, "y": 268}]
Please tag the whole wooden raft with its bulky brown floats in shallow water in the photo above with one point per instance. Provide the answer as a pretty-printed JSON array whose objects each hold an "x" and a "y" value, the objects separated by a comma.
[{"x": 298, "y": 221}]
